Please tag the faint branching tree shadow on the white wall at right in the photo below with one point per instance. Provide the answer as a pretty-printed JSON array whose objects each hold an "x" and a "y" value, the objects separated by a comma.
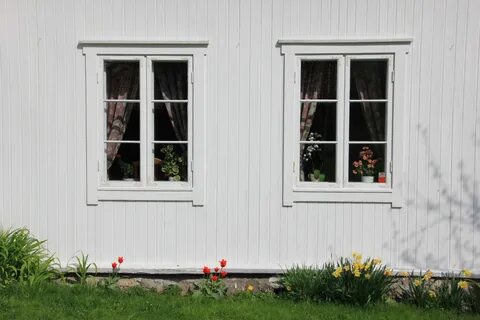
[{"x": 452, "y": 215}]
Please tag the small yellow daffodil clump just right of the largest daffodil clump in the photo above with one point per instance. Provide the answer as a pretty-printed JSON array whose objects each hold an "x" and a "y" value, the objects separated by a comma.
[{"x": 419, "y": 290}]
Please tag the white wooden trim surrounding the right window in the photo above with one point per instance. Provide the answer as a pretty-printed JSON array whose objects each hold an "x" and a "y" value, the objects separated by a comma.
[{"x": 293, "y": 50}]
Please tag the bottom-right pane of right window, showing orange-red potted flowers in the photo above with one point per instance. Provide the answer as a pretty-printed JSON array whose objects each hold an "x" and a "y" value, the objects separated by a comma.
[{"x": 367, "y": 160}]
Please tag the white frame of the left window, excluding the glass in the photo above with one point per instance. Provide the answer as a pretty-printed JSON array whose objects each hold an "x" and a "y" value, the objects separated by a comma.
[{"x": 98, "y": 187}]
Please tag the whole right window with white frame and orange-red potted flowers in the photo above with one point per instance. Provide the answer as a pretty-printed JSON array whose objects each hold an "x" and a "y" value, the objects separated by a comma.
[{"x": 346, "y": 137}]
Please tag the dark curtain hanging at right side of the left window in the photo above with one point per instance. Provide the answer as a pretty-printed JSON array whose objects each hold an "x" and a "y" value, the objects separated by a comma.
[{"x": 172, "y": 80}]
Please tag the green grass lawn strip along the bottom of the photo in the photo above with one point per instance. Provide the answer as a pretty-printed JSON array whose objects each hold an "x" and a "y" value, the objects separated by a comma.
[{"x": 53, "y": 301}]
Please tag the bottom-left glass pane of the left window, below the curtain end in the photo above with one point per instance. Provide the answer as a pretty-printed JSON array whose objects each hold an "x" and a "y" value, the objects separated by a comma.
[{"x": 123, "y": 161}]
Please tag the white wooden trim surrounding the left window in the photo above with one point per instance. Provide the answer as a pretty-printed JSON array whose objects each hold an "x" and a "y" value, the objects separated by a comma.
[{"x": 95, "y": 52}]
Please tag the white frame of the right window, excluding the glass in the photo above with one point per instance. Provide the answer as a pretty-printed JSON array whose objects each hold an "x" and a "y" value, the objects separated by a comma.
[{"x": 294, "y": 51}]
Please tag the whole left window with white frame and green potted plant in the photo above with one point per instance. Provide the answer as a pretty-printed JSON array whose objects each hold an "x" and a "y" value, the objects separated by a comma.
[{"x": 143, "y": 105}]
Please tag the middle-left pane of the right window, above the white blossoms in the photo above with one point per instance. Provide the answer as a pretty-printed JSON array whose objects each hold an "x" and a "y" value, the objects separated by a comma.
[{"x": 318, "y": 121}]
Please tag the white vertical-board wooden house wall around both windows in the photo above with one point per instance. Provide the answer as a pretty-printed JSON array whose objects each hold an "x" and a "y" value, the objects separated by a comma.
[{"x": 42, "y": 135}]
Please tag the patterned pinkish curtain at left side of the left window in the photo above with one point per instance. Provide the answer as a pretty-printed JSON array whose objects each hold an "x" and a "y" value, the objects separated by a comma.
[{"x": 123, "y": 84}]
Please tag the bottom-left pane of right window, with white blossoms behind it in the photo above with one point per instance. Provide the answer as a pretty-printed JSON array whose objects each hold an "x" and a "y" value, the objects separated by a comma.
[{"x": 317, "y": 162}]
